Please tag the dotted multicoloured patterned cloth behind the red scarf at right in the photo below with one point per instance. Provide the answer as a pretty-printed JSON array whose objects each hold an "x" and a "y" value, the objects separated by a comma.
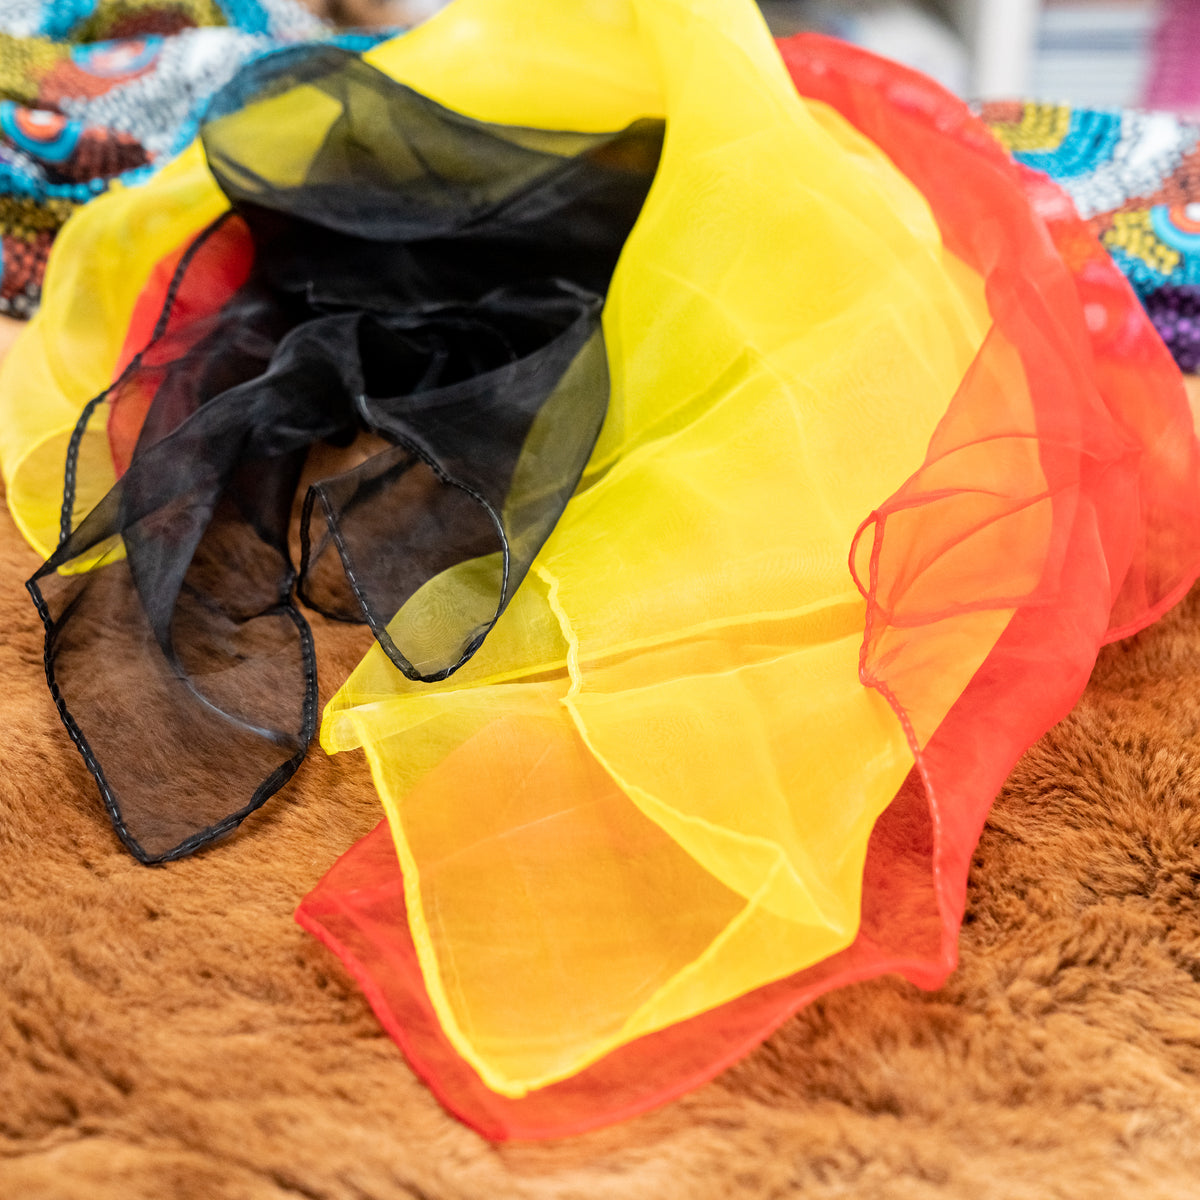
[{"x": 1136, "y": 179}]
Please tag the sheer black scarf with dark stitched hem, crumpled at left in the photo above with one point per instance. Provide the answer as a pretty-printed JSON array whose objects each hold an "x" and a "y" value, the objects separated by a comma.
[{"x": 419, "y": 277}]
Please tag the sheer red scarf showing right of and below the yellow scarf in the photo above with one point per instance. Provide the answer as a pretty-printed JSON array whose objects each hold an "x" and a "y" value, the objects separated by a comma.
[{"x": 1061, "y": 488}]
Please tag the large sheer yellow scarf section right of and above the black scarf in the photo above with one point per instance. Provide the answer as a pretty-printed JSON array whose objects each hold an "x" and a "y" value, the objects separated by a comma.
[{"x": 652, "y": 789}]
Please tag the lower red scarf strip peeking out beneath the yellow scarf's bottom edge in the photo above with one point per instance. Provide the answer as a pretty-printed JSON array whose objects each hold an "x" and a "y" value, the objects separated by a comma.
[{"x": 358, "y": 911}]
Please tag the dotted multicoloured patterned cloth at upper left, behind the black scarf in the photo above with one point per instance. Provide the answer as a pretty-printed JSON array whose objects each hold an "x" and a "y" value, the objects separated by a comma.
[{"x": 103, "y": 91}]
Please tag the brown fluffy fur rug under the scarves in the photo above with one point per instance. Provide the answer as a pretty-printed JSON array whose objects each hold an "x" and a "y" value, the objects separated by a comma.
[{"x": 172, "y": 1034}]
